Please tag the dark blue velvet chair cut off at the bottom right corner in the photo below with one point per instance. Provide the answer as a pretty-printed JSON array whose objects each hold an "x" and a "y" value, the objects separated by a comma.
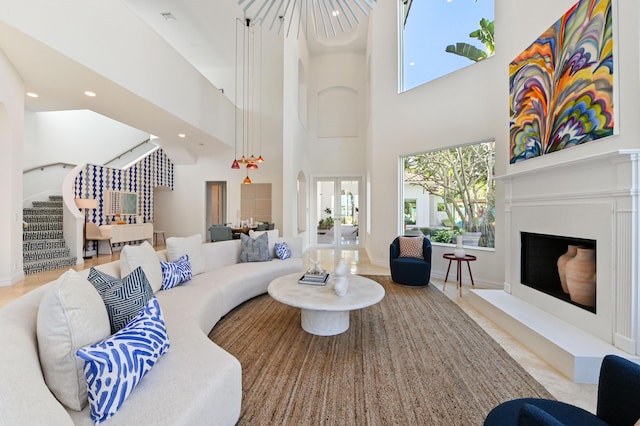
[{"x": 618, "y": 402}]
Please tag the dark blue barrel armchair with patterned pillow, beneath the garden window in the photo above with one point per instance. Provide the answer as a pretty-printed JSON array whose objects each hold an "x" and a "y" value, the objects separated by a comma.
[{"x": 410, "y": 270}]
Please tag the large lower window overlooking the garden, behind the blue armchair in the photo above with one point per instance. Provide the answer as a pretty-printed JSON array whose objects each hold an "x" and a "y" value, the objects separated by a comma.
[{"x": 454, "y": 193}]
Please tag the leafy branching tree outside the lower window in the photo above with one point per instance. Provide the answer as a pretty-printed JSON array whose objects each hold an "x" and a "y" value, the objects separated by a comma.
[{"x": 463, "y": 178}]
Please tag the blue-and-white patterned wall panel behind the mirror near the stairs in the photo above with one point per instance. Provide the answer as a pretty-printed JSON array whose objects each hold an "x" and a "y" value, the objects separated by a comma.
[{"x": 156, "y": 169}]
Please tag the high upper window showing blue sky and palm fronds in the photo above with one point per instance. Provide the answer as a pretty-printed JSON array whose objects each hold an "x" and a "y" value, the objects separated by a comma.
[{"x": 438, "y": 37}]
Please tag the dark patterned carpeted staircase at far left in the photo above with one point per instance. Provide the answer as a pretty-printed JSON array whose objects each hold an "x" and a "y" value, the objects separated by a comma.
[{"x": 43, "y": 244}]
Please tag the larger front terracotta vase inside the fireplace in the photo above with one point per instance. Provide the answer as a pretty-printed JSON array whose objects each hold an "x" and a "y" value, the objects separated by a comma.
[{"x": 581, "y": 277}]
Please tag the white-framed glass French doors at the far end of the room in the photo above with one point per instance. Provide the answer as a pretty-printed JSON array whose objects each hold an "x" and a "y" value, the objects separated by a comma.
[{"x": 337, "y": 212}]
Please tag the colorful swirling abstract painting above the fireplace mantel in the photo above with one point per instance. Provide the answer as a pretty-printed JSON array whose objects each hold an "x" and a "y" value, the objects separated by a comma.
[{"x": 561, "y": 86}]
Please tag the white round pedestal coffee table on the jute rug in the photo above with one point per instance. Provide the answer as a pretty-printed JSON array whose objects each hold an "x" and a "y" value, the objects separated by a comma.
[{"x": 323, "y": 312}]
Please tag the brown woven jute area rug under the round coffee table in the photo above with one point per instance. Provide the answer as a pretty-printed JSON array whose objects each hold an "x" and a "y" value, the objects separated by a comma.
[{"x": 413, "y": 359}]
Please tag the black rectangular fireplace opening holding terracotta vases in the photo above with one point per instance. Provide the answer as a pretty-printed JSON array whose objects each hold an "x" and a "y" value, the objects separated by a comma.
[{"x": 539, "y": 266}]
